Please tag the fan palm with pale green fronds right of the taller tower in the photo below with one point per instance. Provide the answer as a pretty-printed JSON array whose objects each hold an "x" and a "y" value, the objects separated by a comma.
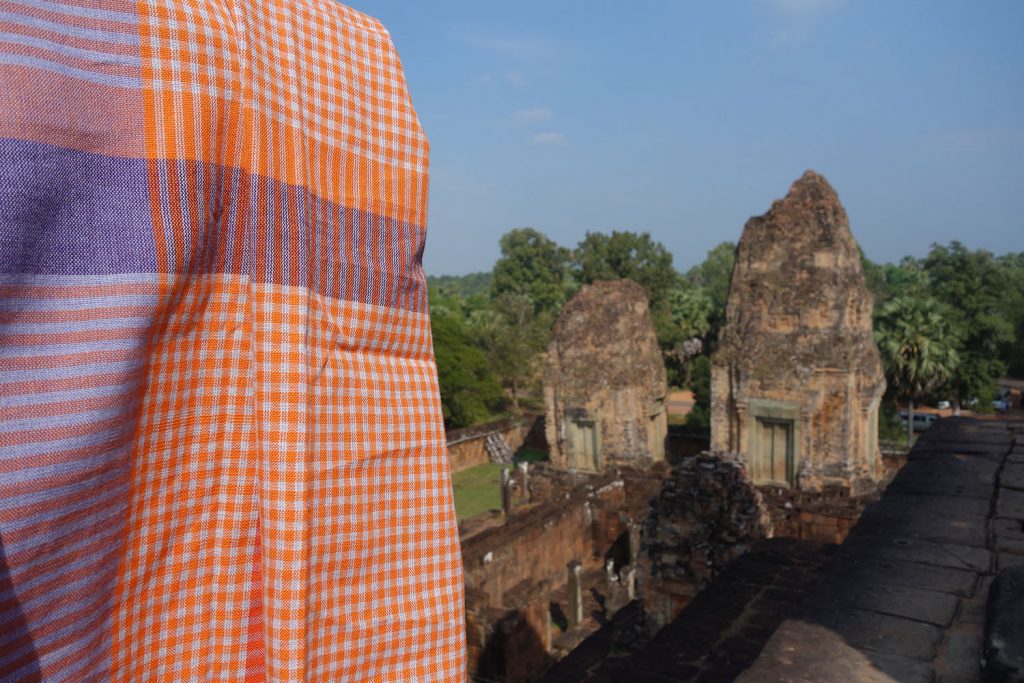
[{"x": 918, "y": 347}]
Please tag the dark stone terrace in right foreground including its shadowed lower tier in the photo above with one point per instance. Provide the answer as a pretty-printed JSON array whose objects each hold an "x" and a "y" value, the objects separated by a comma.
[{"x": 903, "y": 600}]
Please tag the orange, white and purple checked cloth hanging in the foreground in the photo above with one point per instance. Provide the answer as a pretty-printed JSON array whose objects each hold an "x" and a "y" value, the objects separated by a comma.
[{"x": 223, "y": 452}]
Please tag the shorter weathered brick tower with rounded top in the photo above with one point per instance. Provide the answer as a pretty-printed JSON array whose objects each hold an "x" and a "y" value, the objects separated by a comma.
[{"x": 605, "y": 386}]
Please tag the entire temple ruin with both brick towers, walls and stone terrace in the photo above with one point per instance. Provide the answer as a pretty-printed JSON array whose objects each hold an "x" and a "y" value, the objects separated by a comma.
[{"x": 605, "y": 565}]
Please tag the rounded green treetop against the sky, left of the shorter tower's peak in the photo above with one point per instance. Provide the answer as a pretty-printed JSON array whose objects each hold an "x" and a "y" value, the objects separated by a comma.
[{"x": 532, "y": 266}]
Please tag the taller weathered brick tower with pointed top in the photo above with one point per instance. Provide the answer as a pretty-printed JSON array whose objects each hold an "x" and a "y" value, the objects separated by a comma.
[{"x": 797, "y": 379}]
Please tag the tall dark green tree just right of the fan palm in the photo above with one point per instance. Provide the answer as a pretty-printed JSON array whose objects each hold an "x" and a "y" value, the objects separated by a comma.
[{"x": 974, "y": 288}]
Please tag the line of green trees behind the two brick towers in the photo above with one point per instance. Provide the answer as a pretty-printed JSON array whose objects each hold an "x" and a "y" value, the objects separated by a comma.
[{"x": 491, "y": 328}]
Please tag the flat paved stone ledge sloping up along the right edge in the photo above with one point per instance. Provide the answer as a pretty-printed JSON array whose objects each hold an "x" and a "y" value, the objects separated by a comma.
[{"x": 905, "y": 599}]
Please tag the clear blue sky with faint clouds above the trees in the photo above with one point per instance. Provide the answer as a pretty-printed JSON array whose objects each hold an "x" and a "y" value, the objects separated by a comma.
[{"x": 685, "y": 119}]
